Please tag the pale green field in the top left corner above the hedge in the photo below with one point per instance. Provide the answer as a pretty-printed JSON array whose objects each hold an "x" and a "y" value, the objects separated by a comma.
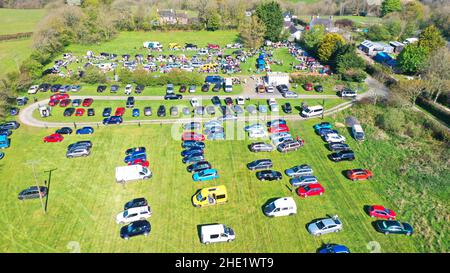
[{"x": 19, "y": 20}]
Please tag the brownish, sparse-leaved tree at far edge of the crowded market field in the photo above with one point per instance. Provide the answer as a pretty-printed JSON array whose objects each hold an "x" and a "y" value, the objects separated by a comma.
[{"x": 252, "y": 32}]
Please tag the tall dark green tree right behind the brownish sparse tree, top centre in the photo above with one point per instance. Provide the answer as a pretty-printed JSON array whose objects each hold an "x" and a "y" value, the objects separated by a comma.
[{"x": 271, "y": 15}]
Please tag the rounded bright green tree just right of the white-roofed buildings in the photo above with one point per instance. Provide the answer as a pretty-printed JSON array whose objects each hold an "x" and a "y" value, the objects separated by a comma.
[{"x": 412, "y": 59}]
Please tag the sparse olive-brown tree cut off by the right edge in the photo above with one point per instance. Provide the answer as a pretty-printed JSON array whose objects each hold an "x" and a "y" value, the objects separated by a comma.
[{"x": 437, "y": 72}]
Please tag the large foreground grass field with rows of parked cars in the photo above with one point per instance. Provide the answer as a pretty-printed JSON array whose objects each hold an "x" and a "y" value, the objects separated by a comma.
[{"x": 84, "y": 198}]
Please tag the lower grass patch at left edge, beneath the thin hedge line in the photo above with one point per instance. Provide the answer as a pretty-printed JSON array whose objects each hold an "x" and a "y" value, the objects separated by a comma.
[{"x": 12, "y": 54}]
